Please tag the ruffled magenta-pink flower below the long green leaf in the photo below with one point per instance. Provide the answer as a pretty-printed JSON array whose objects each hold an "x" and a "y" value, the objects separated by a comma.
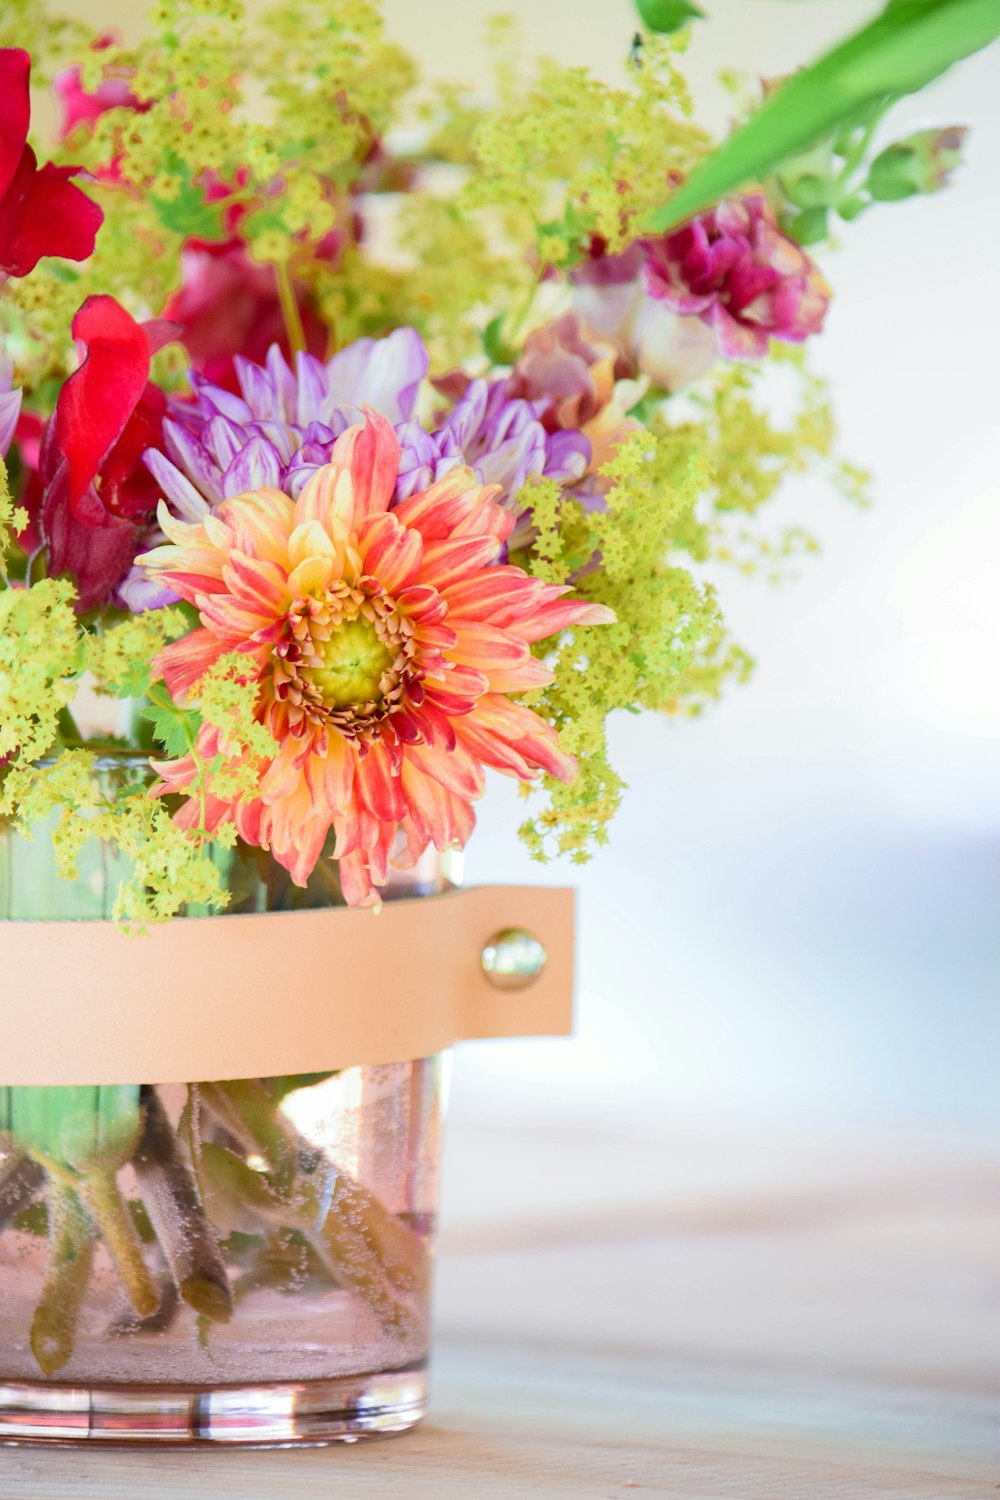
[{"x": 735, "y": 271}]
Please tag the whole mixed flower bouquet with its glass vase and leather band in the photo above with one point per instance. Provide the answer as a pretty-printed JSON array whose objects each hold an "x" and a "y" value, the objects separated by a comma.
[{"x": 361, "y": 440}]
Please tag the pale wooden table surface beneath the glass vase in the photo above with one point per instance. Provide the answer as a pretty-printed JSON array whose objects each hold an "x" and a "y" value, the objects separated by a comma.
[{"x": 687, "y": 1316}]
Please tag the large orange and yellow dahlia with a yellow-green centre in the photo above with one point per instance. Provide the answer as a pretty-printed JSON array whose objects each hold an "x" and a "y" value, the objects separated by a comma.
[{"x": 385, "y": 646}]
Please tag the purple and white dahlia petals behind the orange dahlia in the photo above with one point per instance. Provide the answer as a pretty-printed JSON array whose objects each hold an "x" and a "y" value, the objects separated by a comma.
[{"x": 283, "y": 428}]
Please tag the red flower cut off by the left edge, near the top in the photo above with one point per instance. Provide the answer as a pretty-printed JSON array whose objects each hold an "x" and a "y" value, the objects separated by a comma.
[{"x": 41, "y": 211}]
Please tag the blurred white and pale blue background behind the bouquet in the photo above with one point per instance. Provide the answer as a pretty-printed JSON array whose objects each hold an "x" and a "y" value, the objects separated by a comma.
[{"x": 797, "y": 917}]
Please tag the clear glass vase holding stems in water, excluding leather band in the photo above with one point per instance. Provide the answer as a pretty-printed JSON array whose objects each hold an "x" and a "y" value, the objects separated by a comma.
[{"x": 235, "y": 1262}]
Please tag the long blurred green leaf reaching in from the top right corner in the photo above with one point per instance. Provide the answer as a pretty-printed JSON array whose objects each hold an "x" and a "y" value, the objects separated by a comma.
[{"x": 899, "y": 53}]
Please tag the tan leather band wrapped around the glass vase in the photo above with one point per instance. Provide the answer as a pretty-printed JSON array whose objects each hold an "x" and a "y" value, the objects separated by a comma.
[{"x": 263, "y": 995}]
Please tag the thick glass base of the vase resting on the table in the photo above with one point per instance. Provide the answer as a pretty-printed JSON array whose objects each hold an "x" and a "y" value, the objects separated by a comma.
[{"x": 289, "y": 1415}]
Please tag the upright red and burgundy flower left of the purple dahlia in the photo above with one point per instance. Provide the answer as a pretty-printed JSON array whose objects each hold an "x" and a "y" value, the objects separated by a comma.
[{"x": 97, "y": 494}]
